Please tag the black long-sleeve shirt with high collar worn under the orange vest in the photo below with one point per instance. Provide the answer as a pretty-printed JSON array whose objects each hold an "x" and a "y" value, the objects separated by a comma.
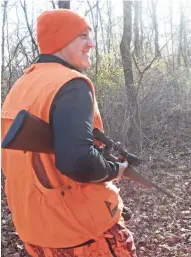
[{"x": 71, "y": 118}]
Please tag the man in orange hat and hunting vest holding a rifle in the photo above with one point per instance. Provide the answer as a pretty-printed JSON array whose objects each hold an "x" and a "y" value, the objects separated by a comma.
[{"x": 63, "y": 204}]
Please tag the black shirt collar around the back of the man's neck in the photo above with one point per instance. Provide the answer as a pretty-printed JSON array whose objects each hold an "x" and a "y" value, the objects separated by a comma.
[{"x": 44, "y": 58}]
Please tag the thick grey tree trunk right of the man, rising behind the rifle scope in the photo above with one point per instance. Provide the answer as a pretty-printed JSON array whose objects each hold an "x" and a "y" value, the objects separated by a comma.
[{"x": 133, "y": 129}]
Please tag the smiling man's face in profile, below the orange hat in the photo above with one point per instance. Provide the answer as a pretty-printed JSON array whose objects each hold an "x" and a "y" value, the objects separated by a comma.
[{"x": 77, "y": 52}]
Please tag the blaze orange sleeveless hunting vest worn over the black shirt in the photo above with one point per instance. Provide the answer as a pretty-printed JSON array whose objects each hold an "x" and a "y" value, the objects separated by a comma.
[{"x": 51, "y": 210}]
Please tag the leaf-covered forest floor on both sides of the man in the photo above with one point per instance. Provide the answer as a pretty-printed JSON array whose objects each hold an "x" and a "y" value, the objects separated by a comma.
[{"x": 161, "y": 225}]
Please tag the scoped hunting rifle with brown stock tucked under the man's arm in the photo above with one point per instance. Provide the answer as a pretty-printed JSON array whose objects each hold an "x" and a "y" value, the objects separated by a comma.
[{"x": 30, "y": 133}]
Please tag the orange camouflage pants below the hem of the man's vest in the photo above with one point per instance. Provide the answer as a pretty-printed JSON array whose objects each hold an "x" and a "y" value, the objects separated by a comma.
[{"x": 116, "y": 242}]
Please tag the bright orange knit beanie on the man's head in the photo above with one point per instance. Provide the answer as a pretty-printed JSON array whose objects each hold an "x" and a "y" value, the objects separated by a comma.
[{"x": 57, "y": 28}]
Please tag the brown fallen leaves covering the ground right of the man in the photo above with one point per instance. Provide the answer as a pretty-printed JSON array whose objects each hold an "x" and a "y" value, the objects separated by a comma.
[{"x": 161, "y": 226}]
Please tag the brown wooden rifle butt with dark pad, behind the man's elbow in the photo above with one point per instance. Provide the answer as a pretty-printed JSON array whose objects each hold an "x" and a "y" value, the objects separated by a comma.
[{"x": 29, "y": 133}]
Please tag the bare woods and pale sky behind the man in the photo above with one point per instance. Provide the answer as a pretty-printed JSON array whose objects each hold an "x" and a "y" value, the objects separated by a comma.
[{"x": 141, "y": 71}]
